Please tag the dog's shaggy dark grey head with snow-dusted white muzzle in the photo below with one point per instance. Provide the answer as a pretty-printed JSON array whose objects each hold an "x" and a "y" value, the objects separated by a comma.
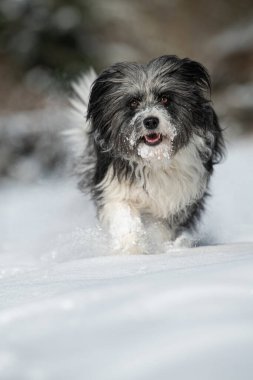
[{"x": 148, "y": 112}]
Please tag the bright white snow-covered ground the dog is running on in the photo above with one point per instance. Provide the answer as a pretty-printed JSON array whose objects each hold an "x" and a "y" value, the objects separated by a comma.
[{"x": 69, "y": 309}]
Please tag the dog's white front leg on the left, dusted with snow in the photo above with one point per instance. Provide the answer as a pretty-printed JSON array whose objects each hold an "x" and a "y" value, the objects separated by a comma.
[{"x": 125, "y": 227}]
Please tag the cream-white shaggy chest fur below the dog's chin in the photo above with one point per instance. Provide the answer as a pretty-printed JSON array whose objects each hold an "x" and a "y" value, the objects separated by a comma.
[{"x": 165, "y": 187}]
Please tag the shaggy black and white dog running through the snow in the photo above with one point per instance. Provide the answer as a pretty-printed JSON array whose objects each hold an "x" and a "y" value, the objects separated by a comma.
[{"x": 152, "y": 138}]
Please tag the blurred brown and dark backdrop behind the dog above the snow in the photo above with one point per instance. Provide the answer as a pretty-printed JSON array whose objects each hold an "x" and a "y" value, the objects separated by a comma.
[{"x": 45, "y": 44}]
